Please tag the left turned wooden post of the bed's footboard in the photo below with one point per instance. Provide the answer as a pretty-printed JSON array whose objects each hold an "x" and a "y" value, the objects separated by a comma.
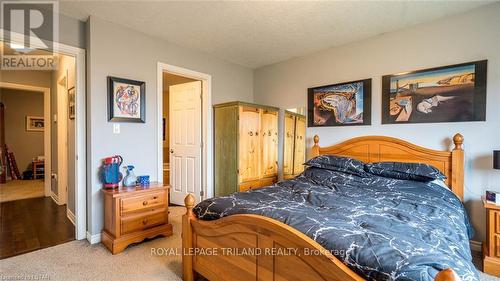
[{"x": 188, "y": 273}]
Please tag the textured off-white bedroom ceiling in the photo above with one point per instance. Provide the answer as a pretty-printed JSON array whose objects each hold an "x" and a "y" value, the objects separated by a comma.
[{"x": 255, "y": 34}]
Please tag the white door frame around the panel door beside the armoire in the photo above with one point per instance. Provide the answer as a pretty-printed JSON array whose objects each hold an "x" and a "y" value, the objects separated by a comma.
[{"x": 206, "y": 123}]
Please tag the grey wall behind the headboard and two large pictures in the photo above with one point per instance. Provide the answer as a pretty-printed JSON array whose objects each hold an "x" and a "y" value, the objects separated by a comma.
[{"x": 466, "y": 37}]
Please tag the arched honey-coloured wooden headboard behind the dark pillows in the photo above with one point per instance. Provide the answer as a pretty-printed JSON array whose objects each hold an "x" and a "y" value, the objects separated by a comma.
[{"x": 379, "y": 149}]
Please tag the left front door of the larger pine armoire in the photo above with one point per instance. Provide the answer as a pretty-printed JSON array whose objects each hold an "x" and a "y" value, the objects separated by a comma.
[{"x": 249, "y": 146}]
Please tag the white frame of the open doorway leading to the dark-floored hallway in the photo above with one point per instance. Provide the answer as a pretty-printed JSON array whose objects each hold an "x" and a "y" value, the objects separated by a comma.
[{"x": 80, "y": 216}]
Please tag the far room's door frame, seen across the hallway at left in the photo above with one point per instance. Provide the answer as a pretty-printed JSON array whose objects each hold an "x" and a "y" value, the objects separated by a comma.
[{"x": 47, "y": 130}]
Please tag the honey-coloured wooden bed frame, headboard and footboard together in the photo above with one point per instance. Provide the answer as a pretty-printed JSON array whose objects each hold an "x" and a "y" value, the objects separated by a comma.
[{"x": 259, "y": 232}]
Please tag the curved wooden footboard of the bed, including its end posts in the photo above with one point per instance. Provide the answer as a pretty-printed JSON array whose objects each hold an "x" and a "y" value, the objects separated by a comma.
[{"x": 252, "y": 247}]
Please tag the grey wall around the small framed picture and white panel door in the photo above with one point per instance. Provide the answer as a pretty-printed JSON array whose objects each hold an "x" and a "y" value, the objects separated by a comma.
[{"x": 114, "y": 50}]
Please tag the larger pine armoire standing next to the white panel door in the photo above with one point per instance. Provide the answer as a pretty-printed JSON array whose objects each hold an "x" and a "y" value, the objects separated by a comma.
[{"x": 245, "y": 146}]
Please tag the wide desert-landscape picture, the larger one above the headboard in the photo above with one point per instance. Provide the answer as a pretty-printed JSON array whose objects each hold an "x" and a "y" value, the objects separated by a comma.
[{"x": 453, "y": 93}]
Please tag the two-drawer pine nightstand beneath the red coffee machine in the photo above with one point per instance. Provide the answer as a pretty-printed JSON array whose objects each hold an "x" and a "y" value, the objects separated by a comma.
[{"x": 134, "y": 214}]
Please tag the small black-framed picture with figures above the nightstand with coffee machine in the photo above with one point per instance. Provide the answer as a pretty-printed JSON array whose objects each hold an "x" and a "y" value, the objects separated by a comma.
[{"x": 126, "y": 100}]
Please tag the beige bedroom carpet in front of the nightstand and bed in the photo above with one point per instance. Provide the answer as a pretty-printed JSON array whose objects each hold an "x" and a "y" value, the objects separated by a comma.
[{"x": 78, "y": 260}]
